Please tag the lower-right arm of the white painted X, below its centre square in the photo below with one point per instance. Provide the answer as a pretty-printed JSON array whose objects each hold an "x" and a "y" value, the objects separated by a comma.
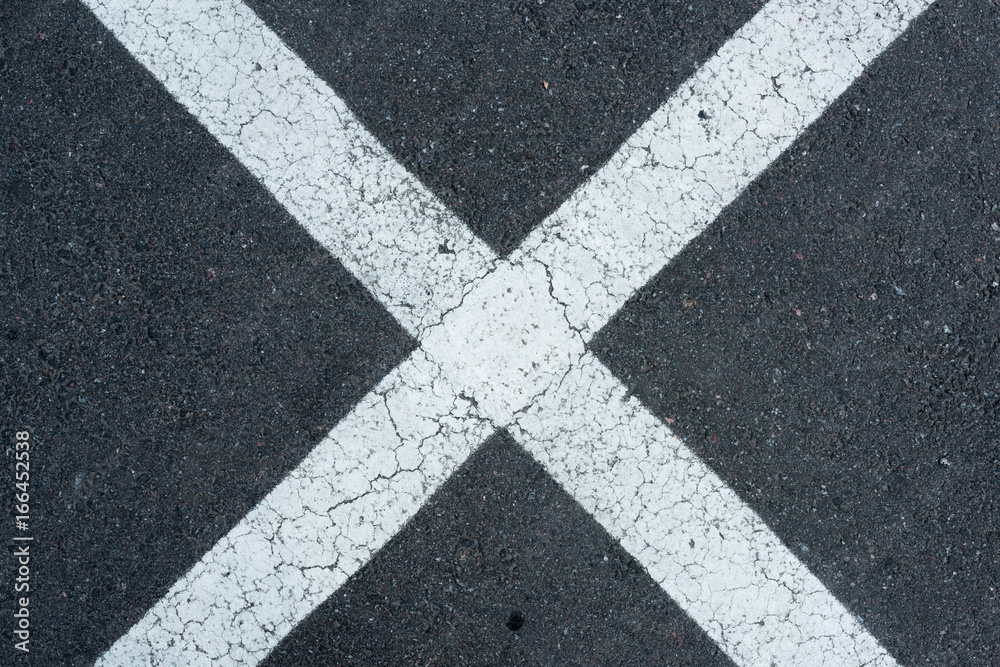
[{"x": 693, "y": 534}]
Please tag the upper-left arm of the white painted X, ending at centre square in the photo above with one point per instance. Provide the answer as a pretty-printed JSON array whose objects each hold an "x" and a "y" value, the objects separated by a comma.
[{"x": 292, "y": 132}]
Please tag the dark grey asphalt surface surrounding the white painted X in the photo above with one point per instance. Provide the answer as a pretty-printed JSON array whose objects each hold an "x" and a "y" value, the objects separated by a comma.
[{"x": 830, "y": 345}]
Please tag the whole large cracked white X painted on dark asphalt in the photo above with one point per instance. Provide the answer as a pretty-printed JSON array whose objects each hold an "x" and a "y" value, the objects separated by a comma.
[{"x": 503, "y": 343}]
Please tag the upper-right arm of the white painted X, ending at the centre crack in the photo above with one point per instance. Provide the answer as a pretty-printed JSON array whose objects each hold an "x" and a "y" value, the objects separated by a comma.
[{"x": 674, "y": 176}]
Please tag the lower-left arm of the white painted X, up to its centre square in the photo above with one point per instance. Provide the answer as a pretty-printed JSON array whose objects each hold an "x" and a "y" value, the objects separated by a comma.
[{"x": 314, "y": 530}]
